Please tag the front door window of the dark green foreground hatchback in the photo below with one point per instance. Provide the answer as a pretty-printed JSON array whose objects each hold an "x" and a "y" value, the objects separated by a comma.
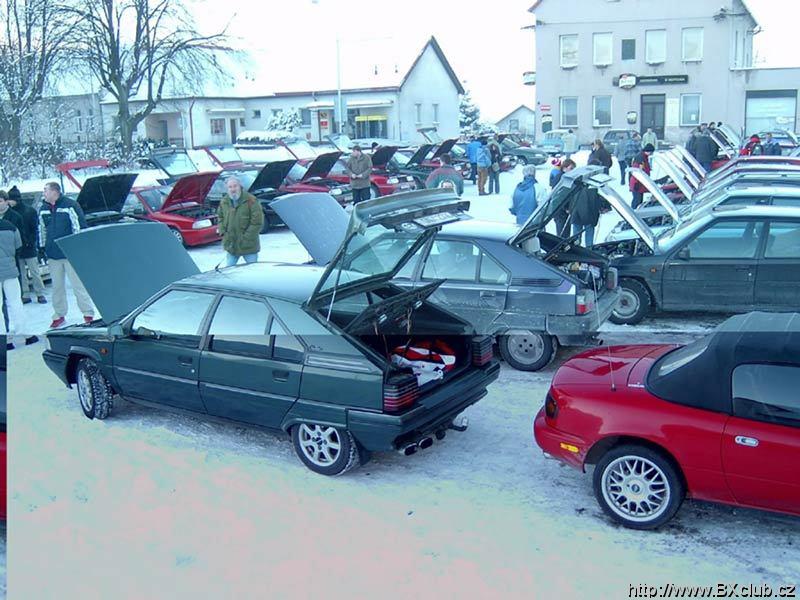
[{"x": 178, "y": 313}]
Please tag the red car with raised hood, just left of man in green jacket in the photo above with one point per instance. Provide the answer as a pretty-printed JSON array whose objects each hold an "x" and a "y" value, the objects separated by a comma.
[{"x": 179, "y": 206}]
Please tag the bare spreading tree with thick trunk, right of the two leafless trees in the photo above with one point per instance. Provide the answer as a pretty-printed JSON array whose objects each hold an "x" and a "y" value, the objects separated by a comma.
[{"x": 135, "y": 47}]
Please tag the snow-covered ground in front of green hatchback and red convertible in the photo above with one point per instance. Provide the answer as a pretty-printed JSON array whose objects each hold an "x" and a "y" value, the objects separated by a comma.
[{"x": 149, "y": 501}]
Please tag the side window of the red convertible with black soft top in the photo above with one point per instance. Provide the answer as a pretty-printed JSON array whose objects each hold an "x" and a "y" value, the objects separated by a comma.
[{"x": 767, "y": 393}]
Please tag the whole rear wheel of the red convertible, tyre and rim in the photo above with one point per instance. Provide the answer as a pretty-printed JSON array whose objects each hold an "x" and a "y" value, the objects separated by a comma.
[{"x": 638, "y": 487}]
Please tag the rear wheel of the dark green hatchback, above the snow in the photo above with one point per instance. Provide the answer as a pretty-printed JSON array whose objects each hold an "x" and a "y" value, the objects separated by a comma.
[{"x": 309, "y": 441}]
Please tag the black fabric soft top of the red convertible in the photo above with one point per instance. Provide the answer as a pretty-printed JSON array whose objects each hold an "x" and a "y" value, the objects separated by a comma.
[{"x": 705, "y": 381}]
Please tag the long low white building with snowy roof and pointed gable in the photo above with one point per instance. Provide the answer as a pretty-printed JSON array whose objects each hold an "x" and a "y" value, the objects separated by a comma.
[{"x": 387, "y": 90}]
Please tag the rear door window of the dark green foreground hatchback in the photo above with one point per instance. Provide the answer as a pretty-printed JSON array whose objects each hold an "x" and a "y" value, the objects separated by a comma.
[{"x": 239, "y": 326}]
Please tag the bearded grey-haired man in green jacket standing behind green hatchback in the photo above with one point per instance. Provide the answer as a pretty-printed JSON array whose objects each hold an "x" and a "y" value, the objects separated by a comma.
[{"x": 240, "y": 222}]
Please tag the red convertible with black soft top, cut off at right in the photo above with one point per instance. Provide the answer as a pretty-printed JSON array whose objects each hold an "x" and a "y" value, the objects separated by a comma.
[{"x": 716, "y": 420}]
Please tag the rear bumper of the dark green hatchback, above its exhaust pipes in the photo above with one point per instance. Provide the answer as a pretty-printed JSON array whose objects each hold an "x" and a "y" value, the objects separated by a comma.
[{"x": 379, "y": 432}]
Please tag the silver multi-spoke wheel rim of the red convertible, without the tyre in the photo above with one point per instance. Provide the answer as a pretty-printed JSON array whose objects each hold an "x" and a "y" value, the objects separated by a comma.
[{"x": 635, "y": 488}]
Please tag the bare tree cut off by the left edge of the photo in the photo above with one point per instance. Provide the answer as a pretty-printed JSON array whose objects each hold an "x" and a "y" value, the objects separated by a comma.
[{"x": 35, "y": 40}]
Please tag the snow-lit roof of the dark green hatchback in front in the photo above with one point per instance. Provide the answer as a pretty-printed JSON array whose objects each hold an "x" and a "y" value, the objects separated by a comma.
[{"x": 284, "y": 281}]
